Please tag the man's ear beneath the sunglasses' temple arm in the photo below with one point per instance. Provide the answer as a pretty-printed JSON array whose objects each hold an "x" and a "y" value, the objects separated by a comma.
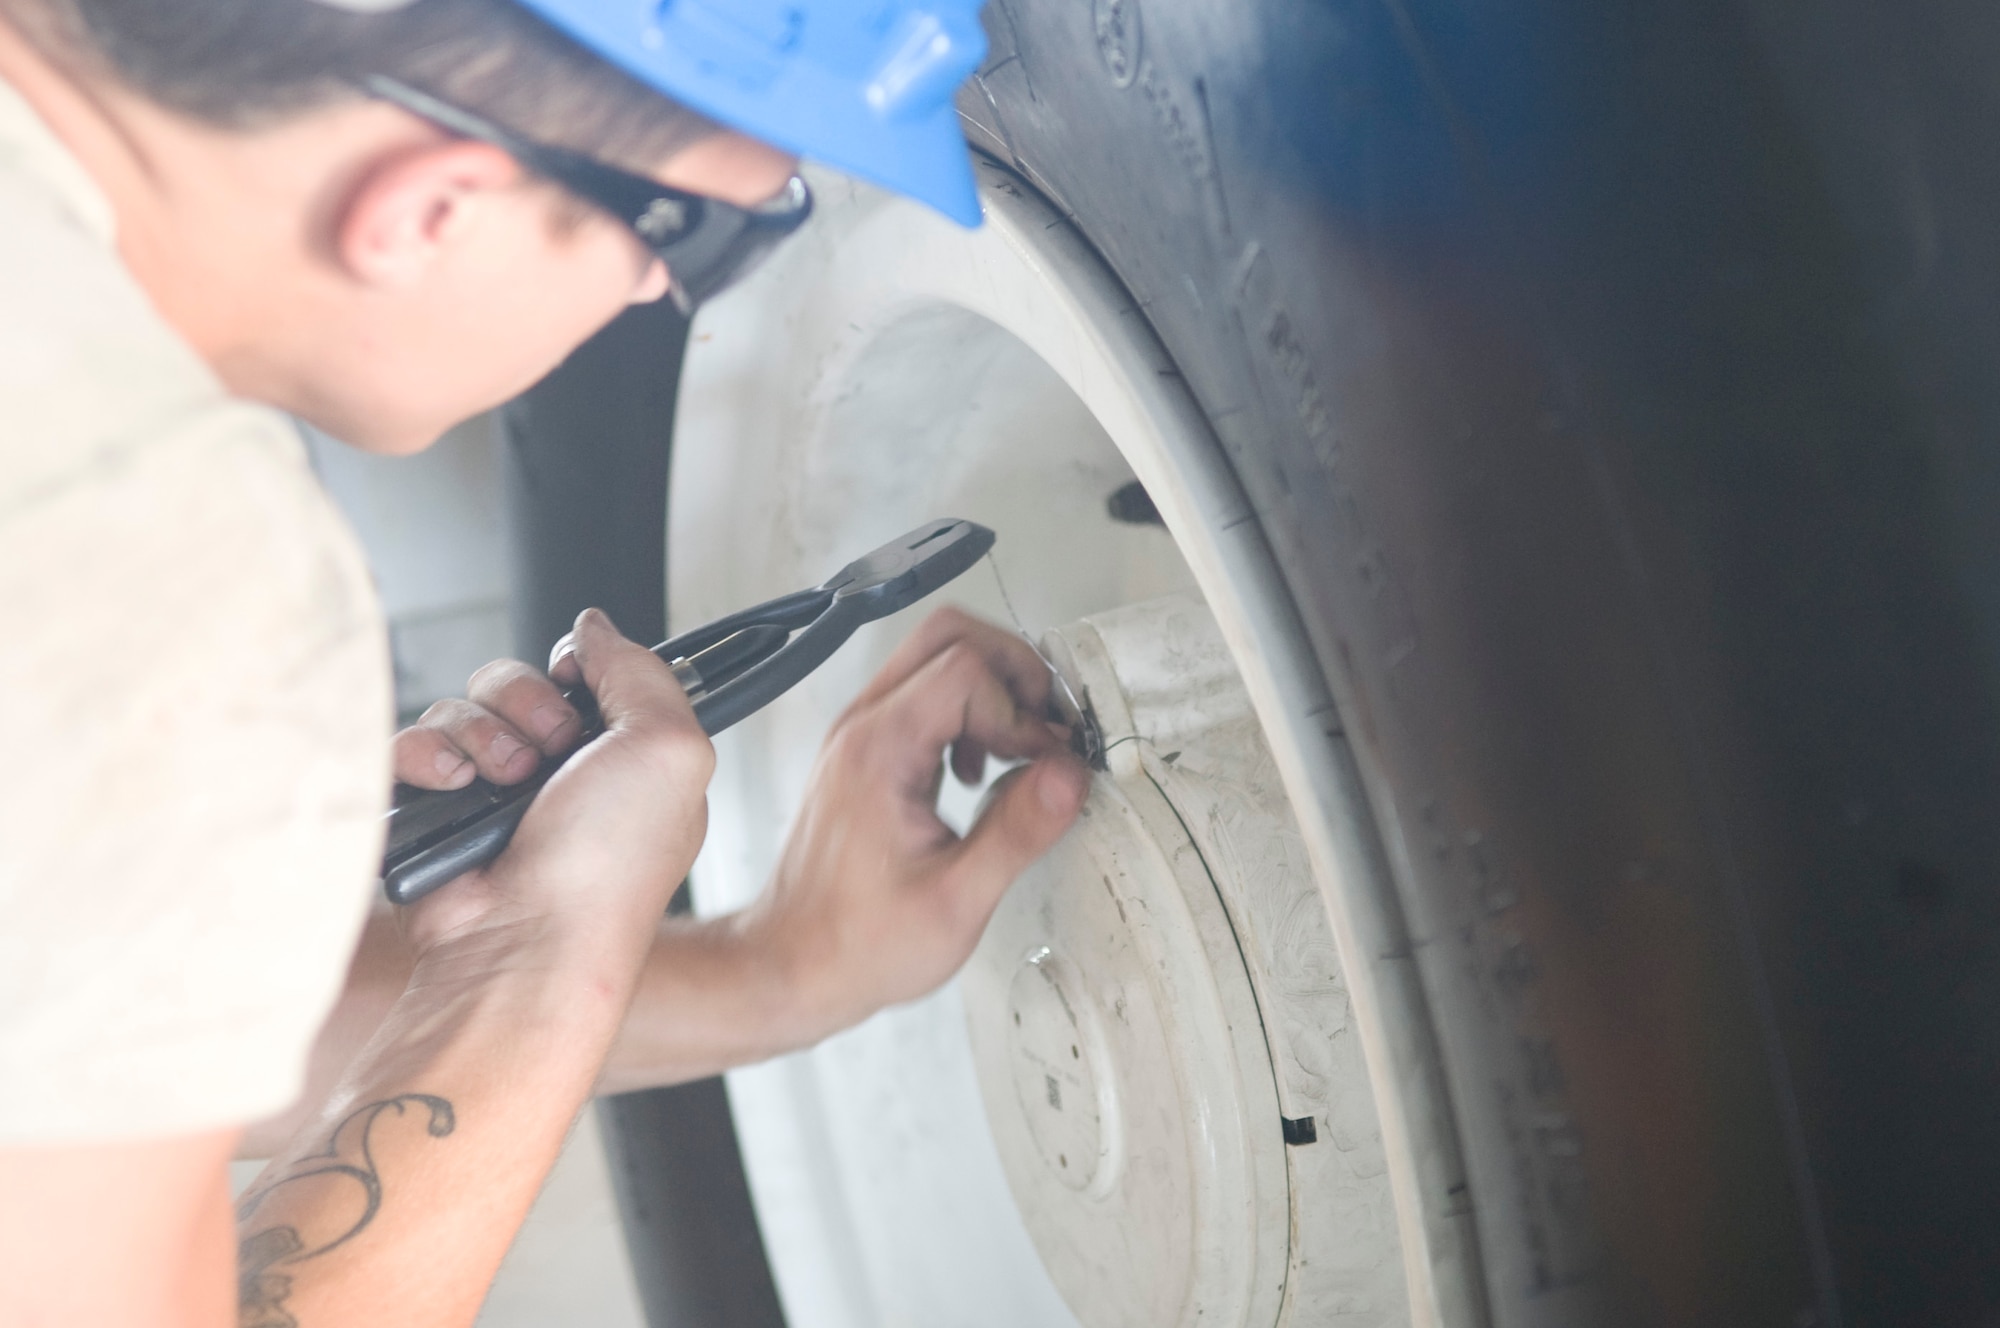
[{"x": 411, "y": 207}]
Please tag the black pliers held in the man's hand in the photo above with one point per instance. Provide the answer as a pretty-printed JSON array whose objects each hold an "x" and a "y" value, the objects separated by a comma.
[{"x": 731, "y": 669}]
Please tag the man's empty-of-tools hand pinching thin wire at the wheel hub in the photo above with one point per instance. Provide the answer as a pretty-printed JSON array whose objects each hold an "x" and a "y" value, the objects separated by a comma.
[{"x": 877, "y": 901}]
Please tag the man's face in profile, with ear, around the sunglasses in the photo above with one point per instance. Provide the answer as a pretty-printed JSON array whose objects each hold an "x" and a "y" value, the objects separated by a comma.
[{"x": 461, "y": 295}]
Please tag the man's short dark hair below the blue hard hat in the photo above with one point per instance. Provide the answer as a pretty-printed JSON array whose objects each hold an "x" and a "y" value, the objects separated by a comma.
[{"x": 253, "y": 63}]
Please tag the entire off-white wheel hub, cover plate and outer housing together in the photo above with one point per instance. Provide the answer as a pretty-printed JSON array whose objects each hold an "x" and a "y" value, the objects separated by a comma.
[{"x": 1171, "y": 971}]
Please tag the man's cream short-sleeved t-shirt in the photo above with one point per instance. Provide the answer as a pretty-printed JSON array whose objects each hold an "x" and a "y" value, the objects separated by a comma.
[{"x": 195, "y": 703}]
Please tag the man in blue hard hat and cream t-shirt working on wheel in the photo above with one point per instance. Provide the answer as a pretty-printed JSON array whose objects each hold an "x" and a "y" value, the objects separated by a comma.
[{"x": 217, "y": 211}]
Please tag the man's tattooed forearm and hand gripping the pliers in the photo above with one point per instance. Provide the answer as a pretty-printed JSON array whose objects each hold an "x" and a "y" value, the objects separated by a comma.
[{"x": 399, "y": 1201}]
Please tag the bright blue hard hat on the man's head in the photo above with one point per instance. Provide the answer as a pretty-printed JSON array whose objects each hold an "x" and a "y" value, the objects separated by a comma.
[{"x": 861, "y": 85}]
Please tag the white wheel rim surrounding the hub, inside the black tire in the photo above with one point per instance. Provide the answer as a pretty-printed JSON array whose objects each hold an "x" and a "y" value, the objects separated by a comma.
[{"x": 805, "y": 435}]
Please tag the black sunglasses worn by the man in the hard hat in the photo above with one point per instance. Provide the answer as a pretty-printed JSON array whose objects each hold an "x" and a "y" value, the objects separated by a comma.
[{"x": 705, "y": 243}]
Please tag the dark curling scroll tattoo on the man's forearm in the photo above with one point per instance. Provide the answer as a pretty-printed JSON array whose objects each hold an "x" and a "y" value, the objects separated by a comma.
[{"x": 261, "y": 1285}]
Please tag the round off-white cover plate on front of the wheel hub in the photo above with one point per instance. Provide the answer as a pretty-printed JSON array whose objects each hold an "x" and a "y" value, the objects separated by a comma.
[{"x": 1107, "y": 1009}]
